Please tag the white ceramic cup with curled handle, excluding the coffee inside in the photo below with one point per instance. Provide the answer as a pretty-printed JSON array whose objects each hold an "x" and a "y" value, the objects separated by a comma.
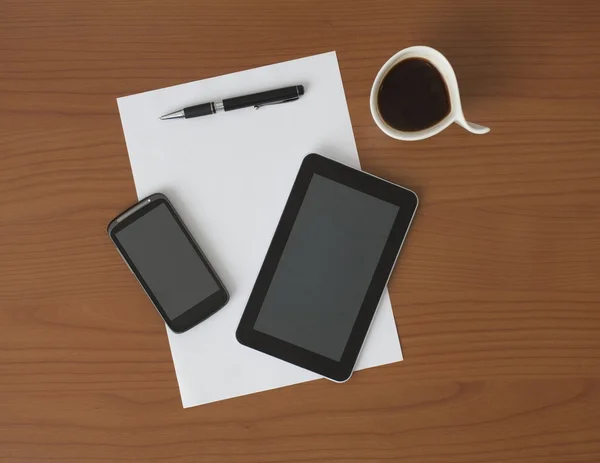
[{"x": 445, "y": 69}]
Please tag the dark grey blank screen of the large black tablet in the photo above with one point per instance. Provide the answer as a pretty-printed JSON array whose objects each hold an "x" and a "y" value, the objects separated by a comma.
[{"x": 326, "y": 267}]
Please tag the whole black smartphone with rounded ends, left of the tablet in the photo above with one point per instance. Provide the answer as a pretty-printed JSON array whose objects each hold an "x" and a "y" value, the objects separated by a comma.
[{"x": 168, "y": 263}]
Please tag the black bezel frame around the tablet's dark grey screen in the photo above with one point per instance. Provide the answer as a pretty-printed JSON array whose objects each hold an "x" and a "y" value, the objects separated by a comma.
[{"x": 405, "y": 199}]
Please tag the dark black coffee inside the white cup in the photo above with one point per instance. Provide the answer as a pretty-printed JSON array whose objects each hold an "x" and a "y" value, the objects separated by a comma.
[{"x": 413, "y": 96}]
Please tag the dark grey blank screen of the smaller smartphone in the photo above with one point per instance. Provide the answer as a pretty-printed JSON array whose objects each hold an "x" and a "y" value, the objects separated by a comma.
[{"x": 167, "y": 261}]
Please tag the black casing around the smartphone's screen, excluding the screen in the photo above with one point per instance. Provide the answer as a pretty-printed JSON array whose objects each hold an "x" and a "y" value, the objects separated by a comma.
[{"x": 198, "y": 312}]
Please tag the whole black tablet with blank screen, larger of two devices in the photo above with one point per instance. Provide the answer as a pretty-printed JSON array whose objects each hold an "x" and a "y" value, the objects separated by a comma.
[{"x": 326, "y": 268}]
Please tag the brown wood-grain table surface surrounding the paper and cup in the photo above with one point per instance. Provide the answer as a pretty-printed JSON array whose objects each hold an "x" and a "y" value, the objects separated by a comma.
[{"x": 496, "y": 295}]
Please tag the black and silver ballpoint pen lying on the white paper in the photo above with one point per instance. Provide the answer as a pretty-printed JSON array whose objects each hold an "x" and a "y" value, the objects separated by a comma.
[{"x": 280, "y": 95}]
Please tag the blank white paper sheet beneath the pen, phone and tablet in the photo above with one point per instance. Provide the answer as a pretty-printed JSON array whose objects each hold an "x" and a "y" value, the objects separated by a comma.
[{"x": 229, "y": 175}]
